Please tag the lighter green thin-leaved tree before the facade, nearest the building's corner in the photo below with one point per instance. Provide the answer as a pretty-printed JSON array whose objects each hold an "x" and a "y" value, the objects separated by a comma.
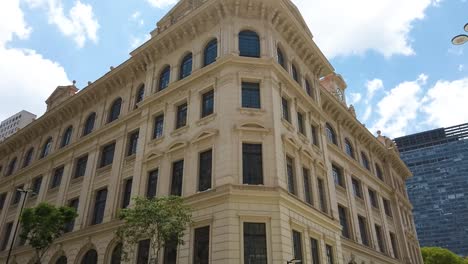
[{"x": 162, "y": 220}]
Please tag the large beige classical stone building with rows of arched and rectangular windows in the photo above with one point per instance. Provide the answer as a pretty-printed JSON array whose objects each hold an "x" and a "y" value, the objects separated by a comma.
[{"x": 231, "y": 105}]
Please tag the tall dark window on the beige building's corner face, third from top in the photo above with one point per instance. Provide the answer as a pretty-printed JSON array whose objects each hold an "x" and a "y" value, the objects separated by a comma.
[{"x": 252, "y": 164}]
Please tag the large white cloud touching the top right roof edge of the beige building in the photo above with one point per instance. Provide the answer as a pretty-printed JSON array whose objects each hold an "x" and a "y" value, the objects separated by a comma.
[{"x": 344, "y": 28}]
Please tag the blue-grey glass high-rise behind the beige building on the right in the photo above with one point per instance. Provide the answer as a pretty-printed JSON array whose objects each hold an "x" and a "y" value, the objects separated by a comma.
[{"x": 439, "y": 188}]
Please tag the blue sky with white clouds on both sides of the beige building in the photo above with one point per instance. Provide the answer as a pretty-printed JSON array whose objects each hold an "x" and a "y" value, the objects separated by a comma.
[{"x": 403, "y": 74}]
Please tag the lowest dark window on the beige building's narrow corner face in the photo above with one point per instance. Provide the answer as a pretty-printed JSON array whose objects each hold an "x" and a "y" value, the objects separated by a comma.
[{"x": 255, "y": 246}]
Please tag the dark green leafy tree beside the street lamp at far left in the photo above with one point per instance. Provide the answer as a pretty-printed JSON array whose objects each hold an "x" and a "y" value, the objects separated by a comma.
[{"x": 43, "y": 224}]
